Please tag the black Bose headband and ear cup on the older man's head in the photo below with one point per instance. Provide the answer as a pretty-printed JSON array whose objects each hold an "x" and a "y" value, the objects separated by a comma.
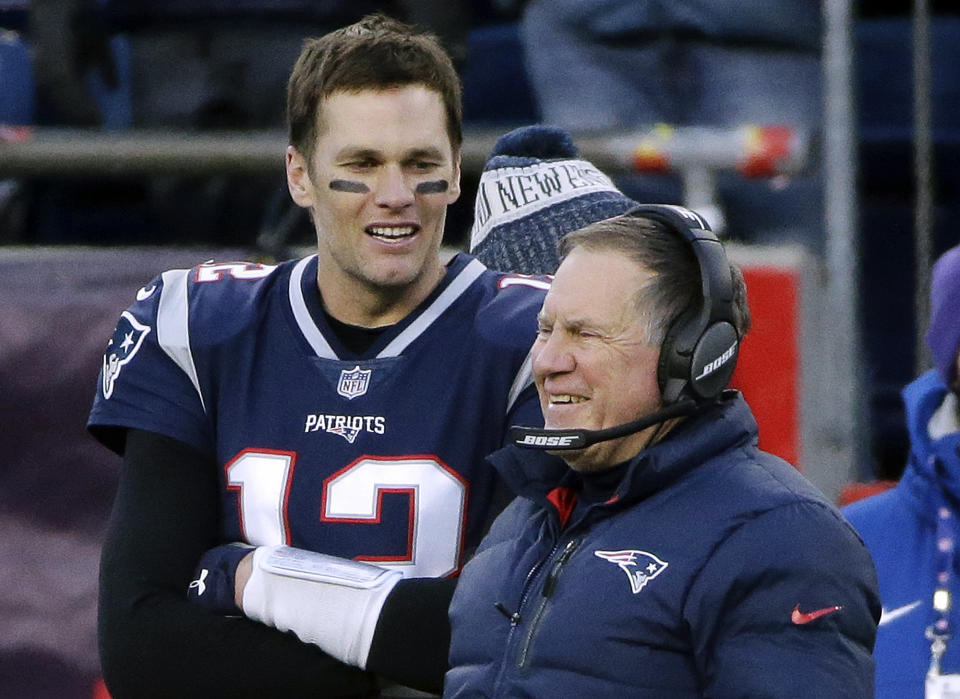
[{"x": 699, "y": 351}]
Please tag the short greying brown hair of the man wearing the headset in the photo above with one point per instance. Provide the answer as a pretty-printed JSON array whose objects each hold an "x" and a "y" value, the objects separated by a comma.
[{"x": 675, "y": 285}]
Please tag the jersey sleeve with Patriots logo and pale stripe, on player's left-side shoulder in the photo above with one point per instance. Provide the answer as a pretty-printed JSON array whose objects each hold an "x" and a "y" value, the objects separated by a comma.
[{"x": 146, "y": 378}]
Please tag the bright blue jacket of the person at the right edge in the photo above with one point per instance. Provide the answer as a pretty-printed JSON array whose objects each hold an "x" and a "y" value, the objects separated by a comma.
[{"x": 899, "y": 528}]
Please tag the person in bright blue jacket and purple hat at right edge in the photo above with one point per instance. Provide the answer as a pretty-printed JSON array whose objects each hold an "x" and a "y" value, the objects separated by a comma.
[{"x": 912, "y": 530}]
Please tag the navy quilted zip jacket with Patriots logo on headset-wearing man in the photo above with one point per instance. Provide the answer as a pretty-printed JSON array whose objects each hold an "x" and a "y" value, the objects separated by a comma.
[{"x": 713, "y": 571}]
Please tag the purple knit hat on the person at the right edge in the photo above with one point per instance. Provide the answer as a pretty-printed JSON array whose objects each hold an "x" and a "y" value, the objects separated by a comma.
[{"x": 943, "y": 335}]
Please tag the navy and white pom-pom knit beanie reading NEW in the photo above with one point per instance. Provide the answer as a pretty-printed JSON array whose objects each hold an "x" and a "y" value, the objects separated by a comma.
[{"x": 533, "y": 191}]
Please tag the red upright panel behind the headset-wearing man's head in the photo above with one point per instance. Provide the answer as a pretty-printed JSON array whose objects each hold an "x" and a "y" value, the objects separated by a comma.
[{"x": 768, "y": 368}]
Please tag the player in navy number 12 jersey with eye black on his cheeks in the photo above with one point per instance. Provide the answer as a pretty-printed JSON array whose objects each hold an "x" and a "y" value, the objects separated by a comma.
[{"x": 341, "y": 403}]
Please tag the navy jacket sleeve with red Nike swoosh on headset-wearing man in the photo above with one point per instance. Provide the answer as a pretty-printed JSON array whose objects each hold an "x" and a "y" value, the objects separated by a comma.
[{"x": 787, "y": 602}]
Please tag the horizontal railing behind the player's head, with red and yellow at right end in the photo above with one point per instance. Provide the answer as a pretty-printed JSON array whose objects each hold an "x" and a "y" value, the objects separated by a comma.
[{"x": 24, "y": 151}]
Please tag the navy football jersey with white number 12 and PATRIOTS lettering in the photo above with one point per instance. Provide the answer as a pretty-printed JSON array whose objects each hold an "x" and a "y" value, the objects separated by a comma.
[{"x": 377, "y": 457}]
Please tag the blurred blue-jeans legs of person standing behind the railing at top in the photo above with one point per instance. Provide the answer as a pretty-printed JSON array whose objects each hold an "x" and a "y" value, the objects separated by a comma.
[{"x": 628, "y": 64}]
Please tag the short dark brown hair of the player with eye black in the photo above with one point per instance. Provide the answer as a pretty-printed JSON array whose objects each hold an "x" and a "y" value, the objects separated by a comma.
[{"x": 376, "y": 53}]
